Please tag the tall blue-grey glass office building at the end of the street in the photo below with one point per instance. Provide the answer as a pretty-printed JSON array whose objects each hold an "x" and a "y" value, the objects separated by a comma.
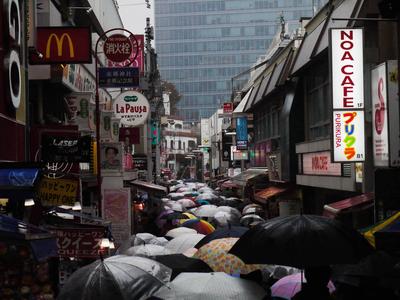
[{"x": 202, "y": 44}]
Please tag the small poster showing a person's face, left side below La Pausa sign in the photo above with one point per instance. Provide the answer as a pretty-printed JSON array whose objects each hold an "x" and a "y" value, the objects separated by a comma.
[{"x": 111, "y": 157}]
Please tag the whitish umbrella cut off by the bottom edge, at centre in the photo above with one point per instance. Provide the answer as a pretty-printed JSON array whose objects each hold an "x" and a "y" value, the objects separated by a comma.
[{"x": 210, "y": 286}]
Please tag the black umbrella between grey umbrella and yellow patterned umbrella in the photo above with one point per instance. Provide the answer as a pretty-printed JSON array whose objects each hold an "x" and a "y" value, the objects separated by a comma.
[{"x": 180, "y": 263}]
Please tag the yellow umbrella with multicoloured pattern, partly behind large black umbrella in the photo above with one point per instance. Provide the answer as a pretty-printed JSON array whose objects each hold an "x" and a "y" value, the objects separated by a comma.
[{"x": 216, "y": 255}]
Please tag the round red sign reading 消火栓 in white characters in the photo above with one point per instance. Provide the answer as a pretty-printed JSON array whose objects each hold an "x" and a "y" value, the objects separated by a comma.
[{"x": 118, "y": 48}]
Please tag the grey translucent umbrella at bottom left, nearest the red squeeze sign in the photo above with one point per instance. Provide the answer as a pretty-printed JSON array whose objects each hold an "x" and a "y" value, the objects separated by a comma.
[{"x": 117, "y": 277}]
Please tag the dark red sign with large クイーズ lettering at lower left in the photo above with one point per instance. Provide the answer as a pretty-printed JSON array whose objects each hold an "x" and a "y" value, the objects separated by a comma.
[{"x": 79, "y": 242}]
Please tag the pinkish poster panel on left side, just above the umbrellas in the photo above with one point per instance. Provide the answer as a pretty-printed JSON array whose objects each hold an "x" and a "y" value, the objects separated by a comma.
[{"x": 116, "y": 209}]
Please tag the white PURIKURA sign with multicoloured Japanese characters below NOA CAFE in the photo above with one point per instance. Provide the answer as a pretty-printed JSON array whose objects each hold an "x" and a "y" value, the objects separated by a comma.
[{"x": 348, "y": 136}]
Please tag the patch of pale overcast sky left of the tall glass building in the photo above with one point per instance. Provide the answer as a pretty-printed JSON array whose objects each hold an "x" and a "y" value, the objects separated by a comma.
[{"x": 134, "y": 14}]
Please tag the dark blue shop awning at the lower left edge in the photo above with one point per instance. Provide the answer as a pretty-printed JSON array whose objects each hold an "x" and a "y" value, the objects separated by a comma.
[{"x": 42, "y": 242}]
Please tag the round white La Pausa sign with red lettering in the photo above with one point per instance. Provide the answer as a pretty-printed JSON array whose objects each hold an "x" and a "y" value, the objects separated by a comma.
[{"x": 132, "y": 108}]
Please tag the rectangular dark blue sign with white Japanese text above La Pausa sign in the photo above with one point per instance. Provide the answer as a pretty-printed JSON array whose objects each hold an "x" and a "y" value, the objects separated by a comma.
[{"x": 119, "y": 77}]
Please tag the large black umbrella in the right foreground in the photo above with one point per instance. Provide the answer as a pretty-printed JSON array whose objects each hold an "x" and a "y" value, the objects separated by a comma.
[{"x": 300, "y": 241}]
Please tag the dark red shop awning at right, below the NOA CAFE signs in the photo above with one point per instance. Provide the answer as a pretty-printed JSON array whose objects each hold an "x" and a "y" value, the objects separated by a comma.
[{"x": 346, "y": 205}]
